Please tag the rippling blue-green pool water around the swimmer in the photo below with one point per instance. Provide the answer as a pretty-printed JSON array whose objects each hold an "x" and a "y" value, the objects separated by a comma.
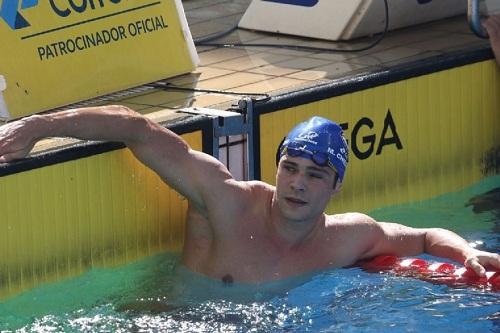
[{"x": 156, "y": 294}]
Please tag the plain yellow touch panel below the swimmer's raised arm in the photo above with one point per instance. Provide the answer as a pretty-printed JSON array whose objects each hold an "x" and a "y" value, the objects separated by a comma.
[{"x": 102, "y": 210}]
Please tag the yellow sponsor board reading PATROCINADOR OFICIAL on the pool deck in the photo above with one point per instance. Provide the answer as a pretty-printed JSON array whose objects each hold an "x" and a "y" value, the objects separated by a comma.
[{"x": 58, "y": 52}]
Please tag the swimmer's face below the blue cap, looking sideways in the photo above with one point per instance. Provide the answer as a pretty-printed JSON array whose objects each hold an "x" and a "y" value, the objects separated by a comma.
[{"x": 303, "y": 189}]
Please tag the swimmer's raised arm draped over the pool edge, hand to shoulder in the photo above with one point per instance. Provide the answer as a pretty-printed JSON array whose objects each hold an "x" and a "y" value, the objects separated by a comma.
[{"x": 160, "y": 149}]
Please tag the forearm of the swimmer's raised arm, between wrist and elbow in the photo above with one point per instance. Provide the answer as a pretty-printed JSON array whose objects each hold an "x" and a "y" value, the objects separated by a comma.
[{"x": 110, "y": 123}]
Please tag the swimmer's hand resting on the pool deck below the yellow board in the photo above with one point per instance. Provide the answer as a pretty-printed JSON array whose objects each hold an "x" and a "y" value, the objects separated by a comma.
[{"x": 16, "y": 140}]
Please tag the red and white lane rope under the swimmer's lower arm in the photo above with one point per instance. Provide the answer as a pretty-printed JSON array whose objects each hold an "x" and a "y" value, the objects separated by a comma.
[{"x": 435, "y": 272}]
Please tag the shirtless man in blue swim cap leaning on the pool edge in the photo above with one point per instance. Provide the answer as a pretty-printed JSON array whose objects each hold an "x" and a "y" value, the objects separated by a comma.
[{"x": 250, "y": 231}]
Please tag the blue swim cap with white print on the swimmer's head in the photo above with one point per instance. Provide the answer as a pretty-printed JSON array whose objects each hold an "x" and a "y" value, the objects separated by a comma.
[{"x": 319, "y": 140}]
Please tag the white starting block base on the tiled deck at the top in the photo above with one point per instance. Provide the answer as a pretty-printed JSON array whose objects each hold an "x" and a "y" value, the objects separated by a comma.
[{"x": 343, "y": 19}]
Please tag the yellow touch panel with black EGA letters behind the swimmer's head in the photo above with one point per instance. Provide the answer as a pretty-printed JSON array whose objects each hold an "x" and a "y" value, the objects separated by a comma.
[{"x": 446, "y": 122}]
